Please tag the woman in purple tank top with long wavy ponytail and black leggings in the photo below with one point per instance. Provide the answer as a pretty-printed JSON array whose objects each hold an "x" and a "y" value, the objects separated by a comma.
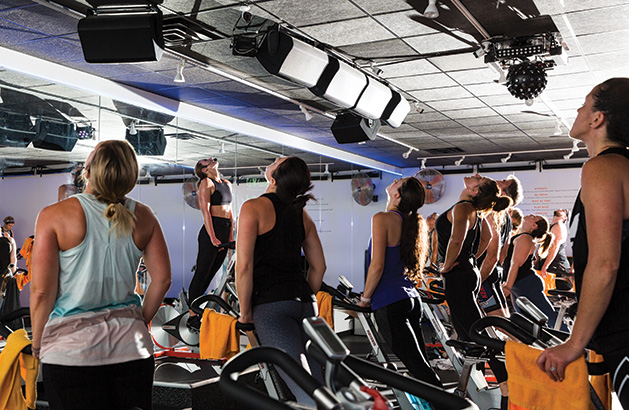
[{"x": 398, "y": 250}]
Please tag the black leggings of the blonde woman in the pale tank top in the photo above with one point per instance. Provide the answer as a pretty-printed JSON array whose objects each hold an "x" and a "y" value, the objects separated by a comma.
[{"x": 121, "y": 386}]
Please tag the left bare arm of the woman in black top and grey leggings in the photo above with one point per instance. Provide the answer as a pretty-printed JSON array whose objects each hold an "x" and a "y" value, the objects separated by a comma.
[{"x": 245, "y": 245}]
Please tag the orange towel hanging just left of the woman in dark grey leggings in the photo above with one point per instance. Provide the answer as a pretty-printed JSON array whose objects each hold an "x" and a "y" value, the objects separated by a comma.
[{"x": 218, "y": 337}]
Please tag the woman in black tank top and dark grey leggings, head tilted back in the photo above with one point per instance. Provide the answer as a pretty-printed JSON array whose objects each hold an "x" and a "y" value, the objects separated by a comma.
[{"x": 273, "y": 229}]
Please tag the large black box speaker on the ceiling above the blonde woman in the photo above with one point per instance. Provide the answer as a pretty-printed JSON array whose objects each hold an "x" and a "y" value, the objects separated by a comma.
[{"x": 122, "y": 37}]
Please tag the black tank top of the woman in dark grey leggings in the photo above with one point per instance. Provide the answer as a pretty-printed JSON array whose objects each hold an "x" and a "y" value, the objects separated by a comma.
[{"x": 277, "y": 273}]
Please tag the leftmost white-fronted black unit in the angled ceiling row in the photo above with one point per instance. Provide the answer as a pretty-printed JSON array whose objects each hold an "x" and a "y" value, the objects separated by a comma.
[{"x": 291, "y": 58}]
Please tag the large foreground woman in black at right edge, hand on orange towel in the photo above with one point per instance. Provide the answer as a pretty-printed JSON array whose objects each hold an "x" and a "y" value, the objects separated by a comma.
[{"x": 601, "y": 246}]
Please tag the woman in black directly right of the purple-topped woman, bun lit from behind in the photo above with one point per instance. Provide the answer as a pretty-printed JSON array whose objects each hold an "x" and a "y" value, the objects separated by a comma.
[{"x": 458, "y": 237}]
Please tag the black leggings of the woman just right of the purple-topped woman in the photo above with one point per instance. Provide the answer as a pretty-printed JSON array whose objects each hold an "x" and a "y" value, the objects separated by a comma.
[{"x": 462, "y": 285}]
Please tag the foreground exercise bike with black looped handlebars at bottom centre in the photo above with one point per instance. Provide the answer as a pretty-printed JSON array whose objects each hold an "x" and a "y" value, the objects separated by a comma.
[{"x": 344, "y": 387}]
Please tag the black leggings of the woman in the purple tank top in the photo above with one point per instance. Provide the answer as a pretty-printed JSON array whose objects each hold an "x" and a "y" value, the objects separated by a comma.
[{"x": 399, "y": 324}]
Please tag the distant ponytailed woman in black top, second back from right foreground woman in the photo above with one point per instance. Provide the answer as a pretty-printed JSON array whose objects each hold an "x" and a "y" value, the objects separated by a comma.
[{"x": 521, "y": 277}]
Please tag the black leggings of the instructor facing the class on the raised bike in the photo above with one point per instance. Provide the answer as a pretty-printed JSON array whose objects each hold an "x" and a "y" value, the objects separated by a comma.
[{"x": 209, "y": 257}]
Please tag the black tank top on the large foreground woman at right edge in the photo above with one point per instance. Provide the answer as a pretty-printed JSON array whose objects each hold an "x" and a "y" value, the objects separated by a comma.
[{"x": 613, "y": 330}]
